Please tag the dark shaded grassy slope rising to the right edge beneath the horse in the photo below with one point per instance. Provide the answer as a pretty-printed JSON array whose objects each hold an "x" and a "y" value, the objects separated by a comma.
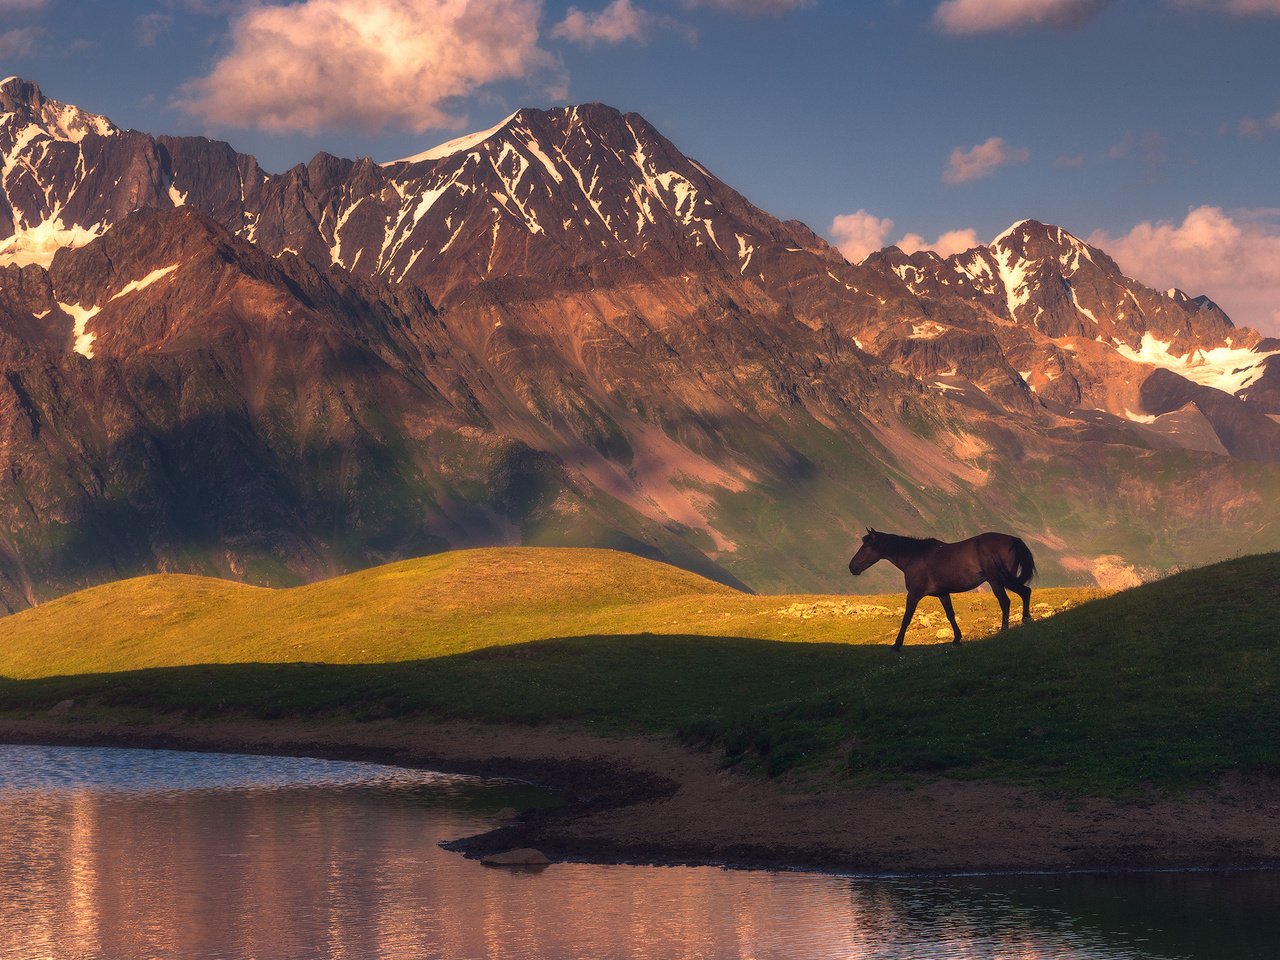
[{"x": 1169, "y": 684}]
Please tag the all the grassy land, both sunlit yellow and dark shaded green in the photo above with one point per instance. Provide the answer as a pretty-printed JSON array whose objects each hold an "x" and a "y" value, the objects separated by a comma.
[{"x": 1171, "y": 684}]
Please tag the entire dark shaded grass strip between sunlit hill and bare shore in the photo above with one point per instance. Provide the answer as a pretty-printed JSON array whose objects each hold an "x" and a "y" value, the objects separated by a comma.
[{"x": 1169, "y": 685}]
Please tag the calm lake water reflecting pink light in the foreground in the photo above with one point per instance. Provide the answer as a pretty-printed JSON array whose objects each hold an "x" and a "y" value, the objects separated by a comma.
[{"x": 126, "y": 854}]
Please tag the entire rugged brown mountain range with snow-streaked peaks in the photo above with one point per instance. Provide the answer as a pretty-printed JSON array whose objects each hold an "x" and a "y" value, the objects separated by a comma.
[{"x": 563, "y": 331}]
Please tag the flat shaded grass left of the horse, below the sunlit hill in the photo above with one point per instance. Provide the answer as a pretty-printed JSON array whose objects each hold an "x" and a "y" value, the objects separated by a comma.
[{"x": 634, "y": 680}]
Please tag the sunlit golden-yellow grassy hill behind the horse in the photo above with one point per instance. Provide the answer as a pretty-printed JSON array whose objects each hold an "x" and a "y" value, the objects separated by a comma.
[{"x": 433, "y": 607}]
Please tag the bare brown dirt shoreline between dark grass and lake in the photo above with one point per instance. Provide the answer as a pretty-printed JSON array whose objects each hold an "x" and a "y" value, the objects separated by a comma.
[{"x": 651, "y": 801}]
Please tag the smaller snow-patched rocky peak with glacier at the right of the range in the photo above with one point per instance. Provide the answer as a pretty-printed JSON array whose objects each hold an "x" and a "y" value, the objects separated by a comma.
[{"x": 1078, "y": 332}]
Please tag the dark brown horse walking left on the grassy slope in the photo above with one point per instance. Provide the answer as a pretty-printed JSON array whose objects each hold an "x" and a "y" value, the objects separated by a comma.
[{"x": 936, "y": 569}]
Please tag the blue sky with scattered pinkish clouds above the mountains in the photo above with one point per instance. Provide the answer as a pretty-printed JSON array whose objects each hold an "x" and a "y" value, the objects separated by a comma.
[{"x": 1149, "y": 127}]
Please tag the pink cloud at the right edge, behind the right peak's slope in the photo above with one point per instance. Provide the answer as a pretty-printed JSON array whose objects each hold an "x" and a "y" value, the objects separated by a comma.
[{"x": 1232, "y": 258}]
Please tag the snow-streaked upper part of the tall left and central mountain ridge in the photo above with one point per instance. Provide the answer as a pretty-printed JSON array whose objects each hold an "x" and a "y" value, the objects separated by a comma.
[{"x": 543, "y": 191}]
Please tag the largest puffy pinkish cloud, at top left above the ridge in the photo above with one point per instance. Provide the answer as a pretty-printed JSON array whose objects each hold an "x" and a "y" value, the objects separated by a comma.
[{"x": 365, "y": 65}]
